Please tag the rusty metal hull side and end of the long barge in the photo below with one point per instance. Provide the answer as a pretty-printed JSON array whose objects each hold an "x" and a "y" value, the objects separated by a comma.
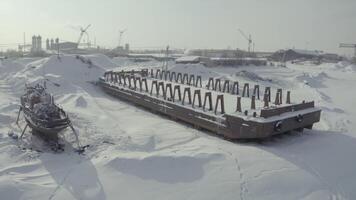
[{"x": 228, "y": 125}]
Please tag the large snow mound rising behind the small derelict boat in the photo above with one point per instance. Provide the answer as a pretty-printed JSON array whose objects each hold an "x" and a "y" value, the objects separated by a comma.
[{"x": 62, "y": 75}]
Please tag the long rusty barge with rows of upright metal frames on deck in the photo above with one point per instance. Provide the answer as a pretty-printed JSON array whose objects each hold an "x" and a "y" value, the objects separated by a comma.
[{"x": 179, "y": 96}]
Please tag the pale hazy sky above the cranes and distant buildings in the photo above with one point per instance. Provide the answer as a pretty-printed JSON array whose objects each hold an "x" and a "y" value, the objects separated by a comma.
[{"x": 274, "y": 24}]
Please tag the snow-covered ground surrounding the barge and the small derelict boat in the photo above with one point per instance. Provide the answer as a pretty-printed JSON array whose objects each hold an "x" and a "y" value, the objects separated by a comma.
[{"x": 135, "y": 154}]
